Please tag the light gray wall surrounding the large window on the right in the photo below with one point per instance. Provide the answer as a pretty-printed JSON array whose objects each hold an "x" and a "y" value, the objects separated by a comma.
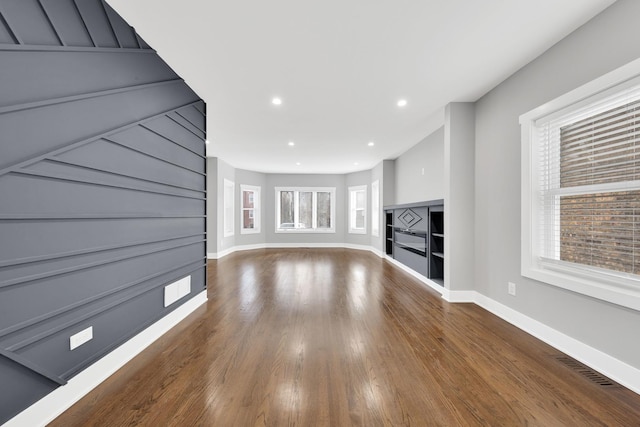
[{"x": 609, "y": 41}]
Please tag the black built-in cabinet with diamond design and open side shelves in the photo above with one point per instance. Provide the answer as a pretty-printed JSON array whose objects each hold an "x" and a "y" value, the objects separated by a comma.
[{"x": 414, "y": 236}]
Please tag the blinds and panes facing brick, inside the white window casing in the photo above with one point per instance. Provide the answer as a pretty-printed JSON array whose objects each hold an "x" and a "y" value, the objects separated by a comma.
[{"x": 590, "y": 185}]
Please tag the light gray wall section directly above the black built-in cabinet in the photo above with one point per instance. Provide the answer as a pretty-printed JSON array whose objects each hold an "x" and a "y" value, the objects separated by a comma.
[{"x": 411, "y": 184}]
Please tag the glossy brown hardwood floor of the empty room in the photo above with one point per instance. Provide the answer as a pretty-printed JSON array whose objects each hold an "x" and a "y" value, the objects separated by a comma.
[{"x": 333, "y": 337}]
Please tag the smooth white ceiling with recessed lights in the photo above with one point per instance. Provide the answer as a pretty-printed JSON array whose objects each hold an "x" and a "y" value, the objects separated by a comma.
[{"x": 340, "y": 66}]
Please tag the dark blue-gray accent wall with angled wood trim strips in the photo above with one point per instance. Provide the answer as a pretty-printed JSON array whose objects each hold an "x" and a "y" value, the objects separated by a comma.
[{"x": 102, "y": 183}]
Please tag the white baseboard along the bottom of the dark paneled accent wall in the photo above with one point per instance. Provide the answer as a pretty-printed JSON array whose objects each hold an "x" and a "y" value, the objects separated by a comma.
[{"x": 55, "y": 403}]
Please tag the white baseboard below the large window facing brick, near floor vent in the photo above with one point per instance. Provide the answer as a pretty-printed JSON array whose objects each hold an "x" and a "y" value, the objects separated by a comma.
[{"x": 613, "y": 368}]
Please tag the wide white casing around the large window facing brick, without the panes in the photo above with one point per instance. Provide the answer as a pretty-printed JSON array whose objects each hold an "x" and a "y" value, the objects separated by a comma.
[{"x": 621, "y": 289}]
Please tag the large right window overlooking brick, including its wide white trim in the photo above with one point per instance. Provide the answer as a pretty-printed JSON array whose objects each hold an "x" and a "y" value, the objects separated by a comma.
[{"x": 580, "y": 205}]
